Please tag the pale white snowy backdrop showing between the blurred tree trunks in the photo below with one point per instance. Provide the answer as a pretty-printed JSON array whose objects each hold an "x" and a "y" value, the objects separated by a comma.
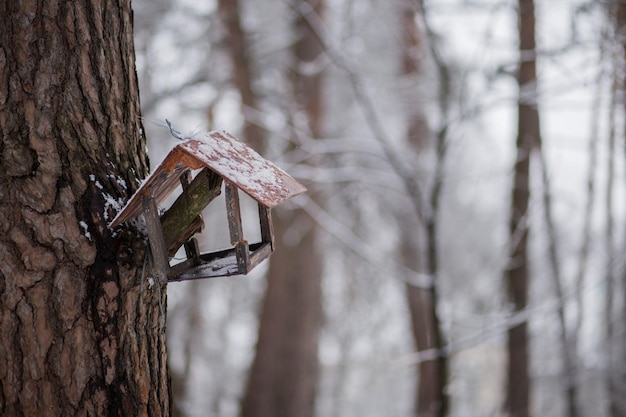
[{"x": 366, "y": 353}]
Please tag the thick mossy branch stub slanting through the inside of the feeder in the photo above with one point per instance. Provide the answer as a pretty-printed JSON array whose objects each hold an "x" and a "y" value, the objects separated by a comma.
[{"x": 188, "y": 206}]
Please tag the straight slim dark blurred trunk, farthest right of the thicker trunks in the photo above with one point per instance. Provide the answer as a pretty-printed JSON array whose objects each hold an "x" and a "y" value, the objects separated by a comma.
[{"x": 516, "y": 276}]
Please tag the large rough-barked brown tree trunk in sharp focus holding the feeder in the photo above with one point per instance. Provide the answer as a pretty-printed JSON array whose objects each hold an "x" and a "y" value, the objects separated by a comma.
[{"x": 81, "y": 335}]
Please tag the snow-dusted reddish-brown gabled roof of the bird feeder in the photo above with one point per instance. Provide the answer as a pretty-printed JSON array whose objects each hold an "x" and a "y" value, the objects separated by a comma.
[{"x": 225, "y": 155}]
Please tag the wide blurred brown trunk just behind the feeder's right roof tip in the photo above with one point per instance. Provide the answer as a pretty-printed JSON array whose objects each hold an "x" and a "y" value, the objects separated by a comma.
[{"x": 283, "y": 377}]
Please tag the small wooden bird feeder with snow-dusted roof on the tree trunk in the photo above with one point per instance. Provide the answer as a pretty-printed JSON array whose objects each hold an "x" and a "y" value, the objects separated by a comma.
[{"x": 221, "y": 158}]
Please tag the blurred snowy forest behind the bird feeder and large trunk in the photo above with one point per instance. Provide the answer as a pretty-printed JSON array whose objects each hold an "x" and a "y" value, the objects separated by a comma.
[{"x": 459, "y": 252}]
